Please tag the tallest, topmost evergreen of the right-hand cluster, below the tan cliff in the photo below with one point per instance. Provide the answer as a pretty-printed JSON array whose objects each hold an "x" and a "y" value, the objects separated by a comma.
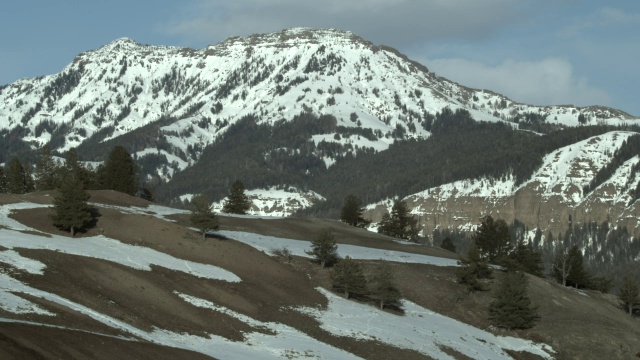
[{"x": 492, "y": 239}]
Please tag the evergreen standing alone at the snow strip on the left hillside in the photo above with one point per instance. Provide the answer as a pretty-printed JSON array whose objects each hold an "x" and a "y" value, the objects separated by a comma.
[{"x": 70, "y": 208}]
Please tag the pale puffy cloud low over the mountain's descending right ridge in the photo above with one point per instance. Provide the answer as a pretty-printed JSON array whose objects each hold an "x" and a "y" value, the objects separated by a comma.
[{"x": 545, "y": 82}]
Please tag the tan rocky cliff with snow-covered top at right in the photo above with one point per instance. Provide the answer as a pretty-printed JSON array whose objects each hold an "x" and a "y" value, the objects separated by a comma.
[{"x": 549, "y": 201}]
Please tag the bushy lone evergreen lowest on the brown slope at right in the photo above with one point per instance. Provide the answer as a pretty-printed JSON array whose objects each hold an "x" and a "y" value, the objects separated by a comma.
[{"x": 512, "y": 308}]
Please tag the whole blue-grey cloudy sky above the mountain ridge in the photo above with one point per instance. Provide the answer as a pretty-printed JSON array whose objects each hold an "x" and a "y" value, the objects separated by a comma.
[{"x": 540, "y": 52}]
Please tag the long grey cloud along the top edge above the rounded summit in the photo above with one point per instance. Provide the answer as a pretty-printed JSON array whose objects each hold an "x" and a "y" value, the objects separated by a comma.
[{"x": 392, "y": 22}]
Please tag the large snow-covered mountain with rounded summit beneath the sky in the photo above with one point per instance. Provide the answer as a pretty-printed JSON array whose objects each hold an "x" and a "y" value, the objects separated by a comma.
[{"x": 123, "y": 86}]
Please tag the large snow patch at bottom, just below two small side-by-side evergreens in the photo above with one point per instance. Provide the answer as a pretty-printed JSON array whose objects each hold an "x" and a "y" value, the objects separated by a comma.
[{"x": 418, "y": 329}]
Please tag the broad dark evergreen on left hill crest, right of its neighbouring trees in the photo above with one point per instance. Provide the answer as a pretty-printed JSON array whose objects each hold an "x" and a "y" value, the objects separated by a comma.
[{"x": 120, "y": 172}]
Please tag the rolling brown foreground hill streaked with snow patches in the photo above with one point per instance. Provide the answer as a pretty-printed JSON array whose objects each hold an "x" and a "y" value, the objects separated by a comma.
[{"x": 141, "y": 283}]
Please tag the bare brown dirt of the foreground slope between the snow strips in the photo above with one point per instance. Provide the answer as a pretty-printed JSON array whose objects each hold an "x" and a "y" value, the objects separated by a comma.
[{"x": 578, "y": 325}]
